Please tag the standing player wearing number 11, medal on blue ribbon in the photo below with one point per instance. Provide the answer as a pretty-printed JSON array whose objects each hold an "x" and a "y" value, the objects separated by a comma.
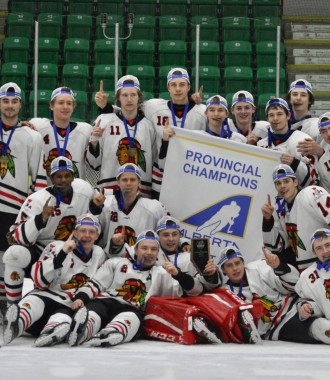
[{"x": 125, "y": 134}]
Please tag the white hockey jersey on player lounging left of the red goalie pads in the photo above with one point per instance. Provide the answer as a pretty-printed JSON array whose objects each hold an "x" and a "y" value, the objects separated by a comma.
[{"x": 119, "y": 278}]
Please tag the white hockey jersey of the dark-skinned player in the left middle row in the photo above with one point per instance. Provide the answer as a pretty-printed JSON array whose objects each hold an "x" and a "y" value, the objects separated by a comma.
[{"x": 60, "y": 225}]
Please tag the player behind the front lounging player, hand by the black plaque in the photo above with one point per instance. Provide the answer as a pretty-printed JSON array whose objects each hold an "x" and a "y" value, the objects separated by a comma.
[{"x": 168, "y": 230}]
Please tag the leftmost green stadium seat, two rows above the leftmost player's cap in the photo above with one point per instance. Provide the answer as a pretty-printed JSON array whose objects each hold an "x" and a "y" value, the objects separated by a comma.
[{"x": 16, "y": 49}]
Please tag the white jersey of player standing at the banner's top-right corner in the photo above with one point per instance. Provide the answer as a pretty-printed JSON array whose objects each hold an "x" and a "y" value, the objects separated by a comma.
[{"x": 306, "y": 171}]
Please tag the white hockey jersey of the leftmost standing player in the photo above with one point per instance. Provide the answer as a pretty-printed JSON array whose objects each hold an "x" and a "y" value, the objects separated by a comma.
[{"x": 24, "y": 156}]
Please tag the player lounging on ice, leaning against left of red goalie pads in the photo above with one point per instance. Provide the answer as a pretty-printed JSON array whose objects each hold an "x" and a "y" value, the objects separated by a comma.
[{"x": 123, "y": 287}]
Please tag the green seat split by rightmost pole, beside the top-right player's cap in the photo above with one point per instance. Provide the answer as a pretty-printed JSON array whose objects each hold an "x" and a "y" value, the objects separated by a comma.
[{"x": 266, "y": 80}]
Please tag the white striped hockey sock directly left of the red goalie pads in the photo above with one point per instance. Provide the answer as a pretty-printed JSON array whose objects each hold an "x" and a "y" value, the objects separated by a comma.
[{"x": 127, "y": 323}]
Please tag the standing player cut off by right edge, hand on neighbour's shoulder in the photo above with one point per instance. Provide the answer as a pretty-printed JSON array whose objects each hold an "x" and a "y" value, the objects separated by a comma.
[{"x": 321, "y": 150}]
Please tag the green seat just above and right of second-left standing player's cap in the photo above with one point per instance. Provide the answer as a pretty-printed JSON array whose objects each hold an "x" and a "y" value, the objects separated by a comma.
[{"x": 75, "y": 76}]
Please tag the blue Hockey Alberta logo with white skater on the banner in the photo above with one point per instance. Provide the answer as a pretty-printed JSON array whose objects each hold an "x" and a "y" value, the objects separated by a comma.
[{"x": 226, "y": 216}]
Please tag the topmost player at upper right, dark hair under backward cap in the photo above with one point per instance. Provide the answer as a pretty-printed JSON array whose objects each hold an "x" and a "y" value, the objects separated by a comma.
[{"x": 300, "y": 99}]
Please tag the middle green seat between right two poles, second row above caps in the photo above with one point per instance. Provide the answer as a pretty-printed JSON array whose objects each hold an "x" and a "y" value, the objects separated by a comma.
[{"x": 237, "y": 53}]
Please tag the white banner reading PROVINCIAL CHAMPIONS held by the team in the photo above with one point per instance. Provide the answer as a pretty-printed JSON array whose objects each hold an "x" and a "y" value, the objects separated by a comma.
[{"x": 216, "y": 187}]
